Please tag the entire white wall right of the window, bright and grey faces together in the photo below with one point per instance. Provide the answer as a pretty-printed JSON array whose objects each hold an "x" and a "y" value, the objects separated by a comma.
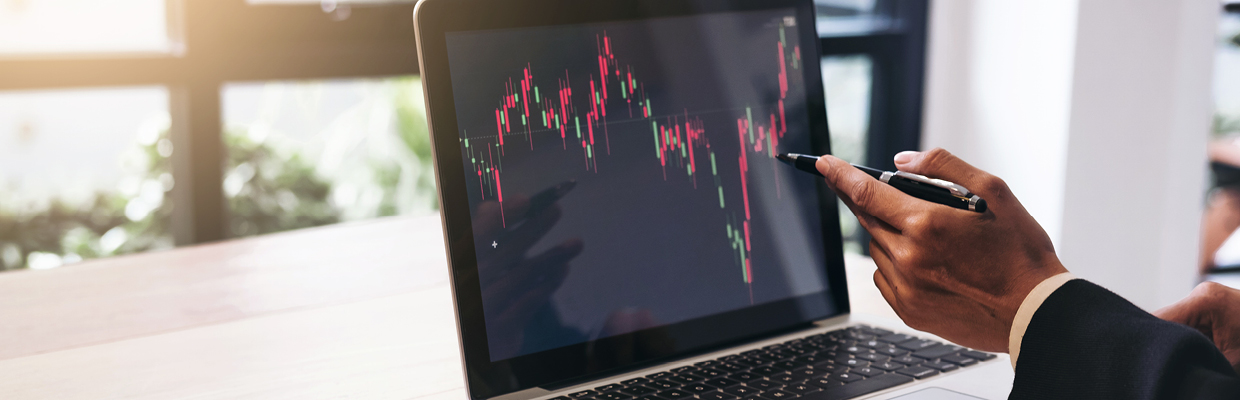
[{"x": 1097, "y": 113}]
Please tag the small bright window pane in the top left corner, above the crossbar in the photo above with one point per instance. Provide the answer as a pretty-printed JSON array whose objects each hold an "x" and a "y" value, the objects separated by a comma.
[{"x": 84, "y": 27}]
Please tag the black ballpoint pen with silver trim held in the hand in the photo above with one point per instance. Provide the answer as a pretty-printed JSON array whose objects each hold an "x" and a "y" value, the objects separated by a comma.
[{"x": 937, "y": 191}]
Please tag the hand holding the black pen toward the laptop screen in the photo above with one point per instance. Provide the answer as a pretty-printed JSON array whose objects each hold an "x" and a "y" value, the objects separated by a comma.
[{"x": 954, "y": 273}]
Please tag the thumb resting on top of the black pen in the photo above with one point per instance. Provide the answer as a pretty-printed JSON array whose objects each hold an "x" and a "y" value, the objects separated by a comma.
[{"x": 943, "y": 165}]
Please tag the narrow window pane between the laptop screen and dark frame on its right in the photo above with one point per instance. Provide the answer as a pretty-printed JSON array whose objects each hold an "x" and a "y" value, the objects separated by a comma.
[{"x": 848, "y": 82}]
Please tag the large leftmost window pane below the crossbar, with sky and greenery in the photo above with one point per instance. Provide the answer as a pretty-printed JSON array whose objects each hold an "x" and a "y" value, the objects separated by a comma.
[{"x": 84, "y": 174}]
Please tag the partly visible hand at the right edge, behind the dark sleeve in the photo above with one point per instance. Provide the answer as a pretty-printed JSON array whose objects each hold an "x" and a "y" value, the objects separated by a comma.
[{"x": 1215, "y": 310}]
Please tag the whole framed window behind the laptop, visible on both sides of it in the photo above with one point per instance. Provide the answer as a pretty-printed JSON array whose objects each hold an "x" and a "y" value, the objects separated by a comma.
[{"x": 216, "y": 116}]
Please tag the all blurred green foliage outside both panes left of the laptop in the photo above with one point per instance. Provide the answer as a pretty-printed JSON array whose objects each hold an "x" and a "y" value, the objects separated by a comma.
[{"x": 268, "y": 188}]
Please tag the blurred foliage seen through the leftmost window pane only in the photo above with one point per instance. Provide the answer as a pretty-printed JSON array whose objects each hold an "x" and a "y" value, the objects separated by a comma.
[{"x": 133, "y": 220}]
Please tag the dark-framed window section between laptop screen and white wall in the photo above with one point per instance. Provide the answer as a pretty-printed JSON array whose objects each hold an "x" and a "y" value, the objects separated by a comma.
[{"x": 874, "y": 70}]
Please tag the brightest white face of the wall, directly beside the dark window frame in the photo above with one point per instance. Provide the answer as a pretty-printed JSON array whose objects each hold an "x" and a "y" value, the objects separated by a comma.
[{"x": 999, "y": 93}]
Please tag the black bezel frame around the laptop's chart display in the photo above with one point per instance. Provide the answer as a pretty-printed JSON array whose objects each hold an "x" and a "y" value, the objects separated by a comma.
[{"x": 433, "y": 20}]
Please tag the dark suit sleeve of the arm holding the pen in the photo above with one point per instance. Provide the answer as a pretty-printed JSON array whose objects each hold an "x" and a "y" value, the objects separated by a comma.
[{"x": 1087, "y": 342}]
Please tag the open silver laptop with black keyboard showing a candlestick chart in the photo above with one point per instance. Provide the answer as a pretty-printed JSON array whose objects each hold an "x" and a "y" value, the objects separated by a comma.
[{"x": 617, "y": 224}]
